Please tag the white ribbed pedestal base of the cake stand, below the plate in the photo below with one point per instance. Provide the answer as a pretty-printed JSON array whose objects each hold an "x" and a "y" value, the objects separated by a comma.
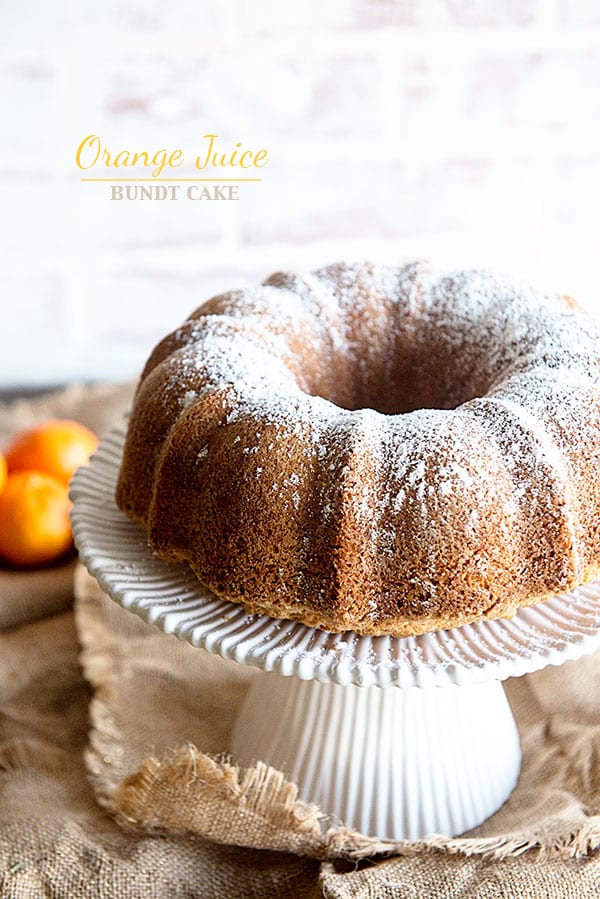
[{"x": 392, "y": 763}]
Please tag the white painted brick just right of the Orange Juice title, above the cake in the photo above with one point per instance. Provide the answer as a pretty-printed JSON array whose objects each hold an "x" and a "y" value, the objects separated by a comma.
[{"x": 350, "y": 201}]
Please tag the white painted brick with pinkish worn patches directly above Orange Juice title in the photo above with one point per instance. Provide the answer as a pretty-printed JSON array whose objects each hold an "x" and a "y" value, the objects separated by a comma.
[{"x": 159, "y": 101}]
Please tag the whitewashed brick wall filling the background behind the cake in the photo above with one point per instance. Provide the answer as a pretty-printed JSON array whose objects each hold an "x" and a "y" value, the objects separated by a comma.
[{"x": 468, "y": 132}]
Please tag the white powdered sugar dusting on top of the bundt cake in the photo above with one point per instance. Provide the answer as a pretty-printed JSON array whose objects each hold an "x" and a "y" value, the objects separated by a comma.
[{"x": 495, "y": 328}]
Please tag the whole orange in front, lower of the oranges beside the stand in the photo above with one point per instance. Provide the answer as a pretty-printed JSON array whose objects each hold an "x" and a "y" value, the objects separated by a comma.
[{"x": 34, "y": 519}]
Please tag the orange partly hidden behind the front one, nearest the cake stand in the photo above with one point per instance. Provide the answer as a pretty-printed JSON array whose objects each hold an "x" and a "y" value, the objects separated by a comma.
[{"x": 57, "y": 446}]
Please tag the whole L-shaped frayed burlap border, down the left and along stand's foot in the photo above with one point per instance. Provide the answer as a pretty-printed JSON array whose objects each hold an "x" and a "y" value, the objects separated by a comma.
[{"x": 187, "y": 791}]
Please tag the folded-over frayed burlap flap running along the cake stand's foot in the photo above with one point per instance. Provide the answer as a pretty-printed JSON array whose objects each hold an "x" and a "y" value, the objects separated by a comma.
[{"x": 257, "y": 807}]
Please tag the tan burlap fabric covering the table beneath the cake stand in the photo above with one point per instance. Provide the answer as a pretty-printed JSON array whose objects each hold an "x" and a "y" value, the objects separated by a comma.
[{"x": 124, "y": 788}]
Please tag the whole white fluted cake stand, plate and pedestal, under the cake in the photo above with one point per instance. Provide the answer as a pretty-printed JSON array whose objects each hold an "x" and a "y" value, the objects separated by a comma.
[{"x": 398, "y": 738}]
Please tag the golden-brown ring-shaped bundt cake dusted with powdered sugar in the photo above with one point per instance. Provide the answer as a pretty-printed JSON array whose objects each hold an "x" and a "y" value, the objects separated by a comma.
[{"x": 370, "y": 448}]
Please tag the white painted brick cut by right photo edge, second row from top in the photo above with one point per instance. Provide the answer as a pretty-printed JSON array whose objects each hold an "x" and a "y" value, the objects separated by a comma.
[{"x": 490, "y": 93}]
